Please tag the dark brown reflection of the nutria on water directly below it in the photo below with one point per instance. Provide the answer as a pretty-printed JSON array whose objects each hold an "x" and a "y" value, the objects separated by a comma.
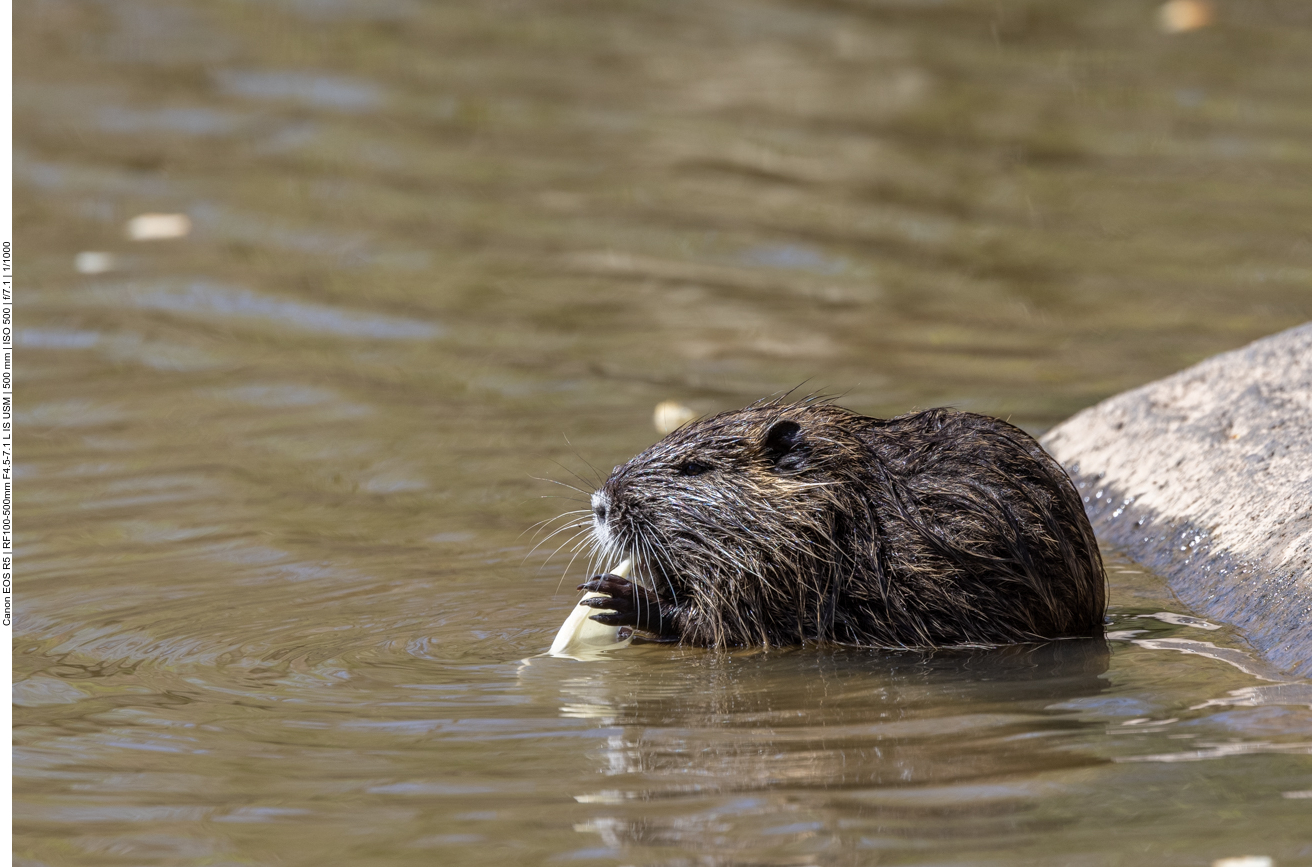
[{"x": 847, "y": 719}]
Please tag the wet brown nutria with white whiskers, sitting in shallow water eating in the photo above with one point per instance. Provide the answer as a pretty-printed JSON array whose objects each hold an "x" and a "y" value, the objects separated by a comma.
[{"x": 784, "y": 524}]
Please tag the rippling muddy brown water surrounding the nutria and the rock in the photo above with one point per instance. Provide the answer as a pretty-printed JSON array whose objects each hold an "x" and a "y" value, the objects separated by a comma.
[{"x": 276, "y": 594}]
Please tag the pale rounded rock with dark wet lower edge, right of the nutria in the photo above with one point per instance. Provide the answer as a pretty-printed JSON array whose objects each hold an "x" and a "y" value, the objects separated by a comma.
[{"x": 1206, "y": 477}]
